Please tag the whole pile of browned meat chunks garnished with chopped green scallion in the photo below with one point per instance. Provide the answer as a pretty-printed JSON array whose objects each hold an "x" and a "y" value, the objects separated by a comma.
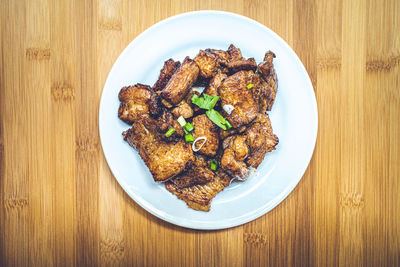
[{"x": 195, "y": 141}]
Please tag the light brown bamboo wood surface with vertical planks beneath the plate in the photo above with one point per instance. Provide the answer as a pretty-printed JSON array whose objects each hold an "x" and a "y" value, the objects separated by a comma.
[{"x": 60, "y": 205}]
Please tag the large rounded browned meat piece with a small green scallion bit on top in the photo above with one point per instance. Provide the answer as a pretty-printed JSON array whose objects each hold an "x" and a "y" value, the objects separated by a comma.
[{"x": 234, "y": 91}]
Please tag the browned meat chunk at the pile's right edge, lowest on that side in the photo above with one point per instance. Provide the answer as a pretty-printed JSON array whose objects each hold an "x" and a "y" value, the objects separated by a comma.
[{"x": 260, "y": 139}]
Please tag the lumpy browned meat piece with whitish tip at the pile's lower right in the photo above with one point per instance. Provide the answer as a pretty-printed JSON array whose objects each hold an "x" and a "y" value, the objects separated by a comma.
[{"x": 231, "y": 160}]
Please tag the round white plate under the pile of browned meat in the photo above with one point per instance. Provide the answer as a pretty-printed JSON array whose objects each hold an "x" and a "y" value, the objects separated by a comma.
[{"x": 294, "y": 117}]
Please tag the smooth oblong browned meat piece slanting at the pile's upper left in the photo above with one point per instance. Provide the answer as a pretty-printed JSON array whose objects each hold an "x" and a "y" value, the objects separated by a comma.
[{"x": 179, "y": 84}]
